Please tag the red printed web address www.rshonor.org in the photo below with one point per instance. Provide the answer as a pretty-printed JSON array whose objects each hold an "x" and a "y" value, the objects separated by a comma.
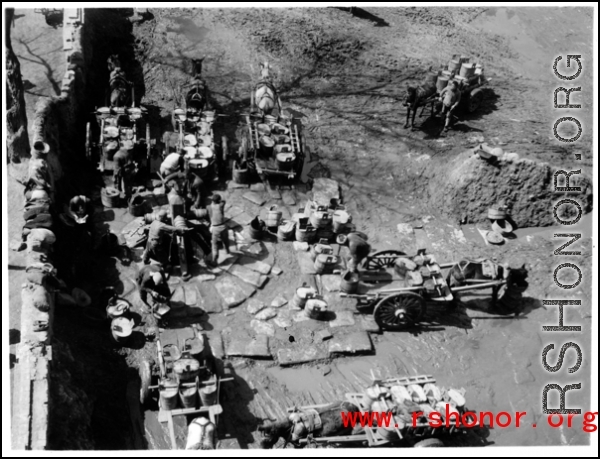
[{"x": 468, "y": 419}]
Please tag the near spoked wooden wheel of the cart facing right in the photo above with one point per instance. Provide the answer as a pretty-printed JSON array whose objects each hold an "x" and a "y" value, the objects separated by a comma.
[{"x": 399, "y": 311}]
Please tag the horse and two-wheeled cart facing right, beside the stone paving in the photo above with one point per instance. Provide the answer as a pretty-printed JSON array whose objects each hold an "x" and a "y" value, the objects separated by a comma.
[{"x": 420, "y": 279}]
